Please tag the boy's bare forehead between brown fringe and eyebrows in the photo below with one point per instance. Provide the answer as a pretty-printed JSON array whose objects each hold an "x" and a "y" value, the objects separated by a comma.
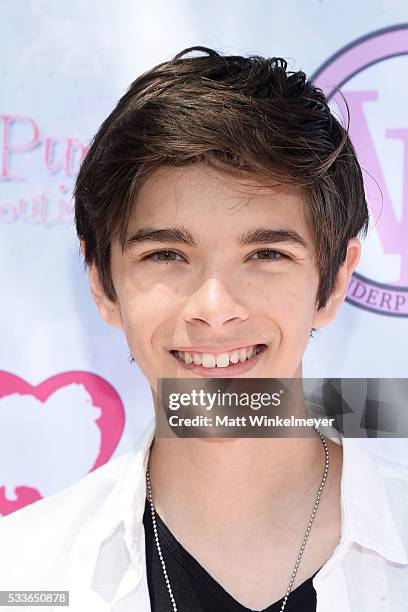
[{"x": 216, "y": 204}]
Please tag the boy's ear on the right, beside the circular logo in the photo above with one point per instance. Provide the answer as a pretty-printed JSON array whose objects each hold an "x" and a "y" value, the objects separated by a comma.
[{"x": 326, "y": 314}]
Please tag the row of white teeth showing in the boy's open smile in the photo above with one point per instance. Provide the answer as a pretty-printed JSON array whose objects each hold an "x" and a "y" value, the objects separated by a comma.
[{"x": 220, "y": 360}]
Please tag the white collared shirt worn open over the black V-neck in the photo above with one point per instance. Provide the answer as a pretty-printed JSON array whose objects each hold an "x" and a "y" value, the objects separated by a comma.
[{"x": 89, "y": 538}]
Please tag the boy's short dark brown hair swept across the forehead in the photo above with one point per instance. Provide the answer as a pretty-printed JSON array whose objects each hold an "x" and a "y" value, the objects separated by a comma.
[{"x": 241, "y": 114}]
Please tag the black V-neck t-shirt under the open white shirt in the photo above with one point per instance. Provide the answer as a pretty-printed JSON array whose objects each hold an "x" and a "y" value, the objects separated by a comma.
[{"x": 194, "y": 589}]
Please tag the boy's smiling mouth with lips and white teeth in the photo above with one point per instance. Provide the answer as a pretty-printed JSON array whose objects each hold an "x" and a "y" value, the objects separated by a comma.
[{"x": 230, "y": 363}]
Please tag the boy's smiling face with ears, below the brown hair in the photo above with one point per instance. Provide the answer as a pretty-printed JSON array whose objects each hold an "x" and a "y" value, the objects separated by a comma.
[{"x": 230, "y": 288}]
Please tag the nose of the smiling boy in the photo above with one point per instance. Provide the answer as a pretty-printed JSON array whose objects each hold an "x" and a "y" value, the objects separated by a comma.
[{"x": 214, "y": 304}]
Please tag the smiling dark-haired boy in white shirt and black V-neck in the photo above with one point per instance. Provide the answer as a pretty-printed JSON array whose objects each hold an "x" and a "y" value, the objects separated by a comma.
[{"x": 218, "y": 211}]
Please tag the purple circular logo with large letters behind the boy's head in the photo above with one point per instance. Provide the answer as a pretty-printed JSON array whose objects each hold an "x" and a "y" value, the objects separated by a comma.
[{"x": 371, "y": 72}]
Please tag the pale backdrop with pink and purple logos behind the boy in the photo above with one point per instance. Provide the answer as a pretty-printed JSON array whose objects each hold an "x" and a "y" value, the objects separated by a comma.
[{"x": 69, "y": 399}]
